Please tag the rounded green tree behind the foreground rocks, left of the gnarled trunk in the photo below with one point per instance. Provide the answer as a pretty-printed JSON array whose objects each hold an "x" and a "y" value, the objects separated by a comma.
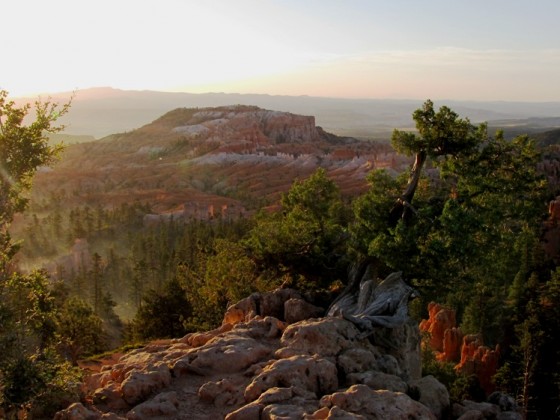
[{"x": 307, "y": 238}]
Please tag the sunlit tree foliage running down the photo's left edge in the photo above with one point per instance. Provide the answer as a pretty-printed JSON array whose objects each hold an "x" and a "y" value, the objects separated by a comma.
[{"x": 27, "y": 311}]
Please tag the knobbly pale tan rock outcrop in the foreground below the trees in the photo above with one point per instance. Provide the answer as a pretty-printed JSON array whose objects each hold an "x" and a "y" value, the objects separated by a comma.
[{"x": 270, "y": 360}]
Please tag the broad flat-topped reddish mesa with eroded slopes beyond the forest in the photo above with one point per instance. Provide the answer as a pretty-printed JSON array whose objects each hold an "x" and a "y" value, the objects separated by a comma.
[{"x": 241, "y": 156}]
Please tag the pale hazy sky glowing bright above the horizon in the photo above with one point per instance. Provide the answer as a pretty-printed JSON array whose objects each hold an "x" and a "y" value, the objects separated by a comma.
[{"x": 441, "y": 49}]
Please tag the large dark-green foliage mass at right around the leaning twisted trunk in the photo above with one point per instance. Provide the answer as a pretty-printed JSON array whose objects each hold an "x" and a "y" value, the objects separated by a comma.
[{"x": 457, "y": 246}]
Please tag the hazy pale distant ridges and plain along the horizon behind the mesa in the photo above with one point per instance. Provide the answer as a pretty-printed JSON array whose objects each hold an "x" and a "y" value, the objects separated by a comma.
[{"x": 99, "y": 112}]
